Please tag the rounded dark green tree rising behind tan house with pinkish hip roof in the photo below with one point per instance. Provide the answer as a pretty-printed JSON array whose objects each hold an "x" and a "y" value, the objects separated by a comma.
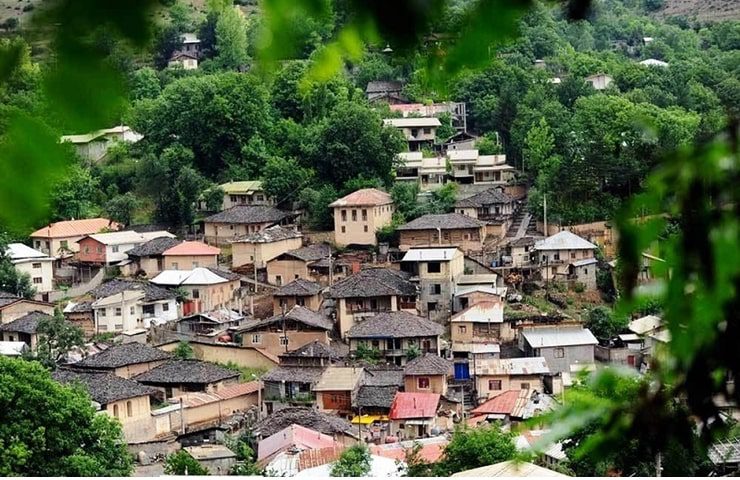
[{"x": 353, "y": 142}]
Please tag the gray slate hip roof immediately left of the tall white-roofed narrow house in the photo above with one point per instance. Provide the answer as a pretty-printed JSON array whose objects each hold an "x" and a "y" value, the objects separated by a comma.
[{"x": 373, "y": 282}]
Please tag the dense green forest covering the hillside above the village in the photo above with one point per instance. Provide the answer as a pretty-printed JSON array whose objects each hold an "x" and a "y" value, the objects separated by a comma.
[{"x": 311, "y": 141}]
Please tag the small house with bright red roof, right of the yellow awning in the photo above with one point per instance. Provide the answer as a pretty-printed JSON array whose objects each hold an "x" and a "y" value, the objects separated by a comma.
[{"x": 413, "y": 414}]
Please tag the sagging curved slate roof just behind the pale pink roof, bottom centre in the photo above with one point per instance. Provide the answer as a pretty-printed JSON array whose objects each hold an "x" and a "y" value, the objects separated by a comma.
[{"x": 305, "y": 417}]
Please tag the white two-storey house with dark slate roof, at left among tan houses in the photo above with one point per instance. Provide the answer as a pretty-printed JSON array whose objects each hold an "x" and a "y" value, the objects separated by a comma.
[{"x": 126, "y": 305}]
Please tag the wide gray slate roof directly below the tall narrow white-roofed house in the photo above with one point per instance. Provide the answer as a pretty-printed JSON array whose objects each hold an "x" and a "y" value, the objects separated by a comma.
[{"x": 395, "y": 325}]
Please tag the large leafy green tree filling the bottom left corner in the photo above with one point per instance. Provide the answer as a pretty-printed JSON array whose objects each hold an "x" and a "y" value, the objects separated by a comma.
[{"x": 52, "y": 430}]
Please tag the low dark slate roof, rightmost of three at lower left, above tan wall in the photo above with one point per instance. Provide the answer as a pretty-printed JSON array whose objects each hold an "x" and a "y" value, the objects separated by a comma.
[{"x": 186, "y": 371}]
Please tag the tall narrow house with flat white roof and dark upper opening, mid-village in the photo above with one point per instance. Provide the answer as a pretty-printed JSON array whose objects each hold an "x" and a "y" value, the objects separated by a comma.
[{"x": 436, "y": 270}]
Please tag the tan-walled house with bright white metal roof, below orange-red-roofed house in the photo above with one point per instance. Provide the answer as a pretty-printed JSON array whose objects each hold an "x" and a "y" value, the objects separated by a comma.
[{"x": 206, "y": 288}]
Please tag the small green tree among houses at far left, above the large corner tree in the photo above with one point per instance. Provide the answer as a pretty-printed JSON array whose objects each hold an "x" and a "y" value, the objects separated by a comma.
[{"x": 56, "y": 337}]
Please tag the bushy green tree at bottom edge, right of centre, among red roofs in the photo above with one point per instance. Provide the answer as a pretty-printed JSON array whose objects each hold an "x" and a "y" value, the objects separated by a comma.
[{"x": 476, "y": 447}]
